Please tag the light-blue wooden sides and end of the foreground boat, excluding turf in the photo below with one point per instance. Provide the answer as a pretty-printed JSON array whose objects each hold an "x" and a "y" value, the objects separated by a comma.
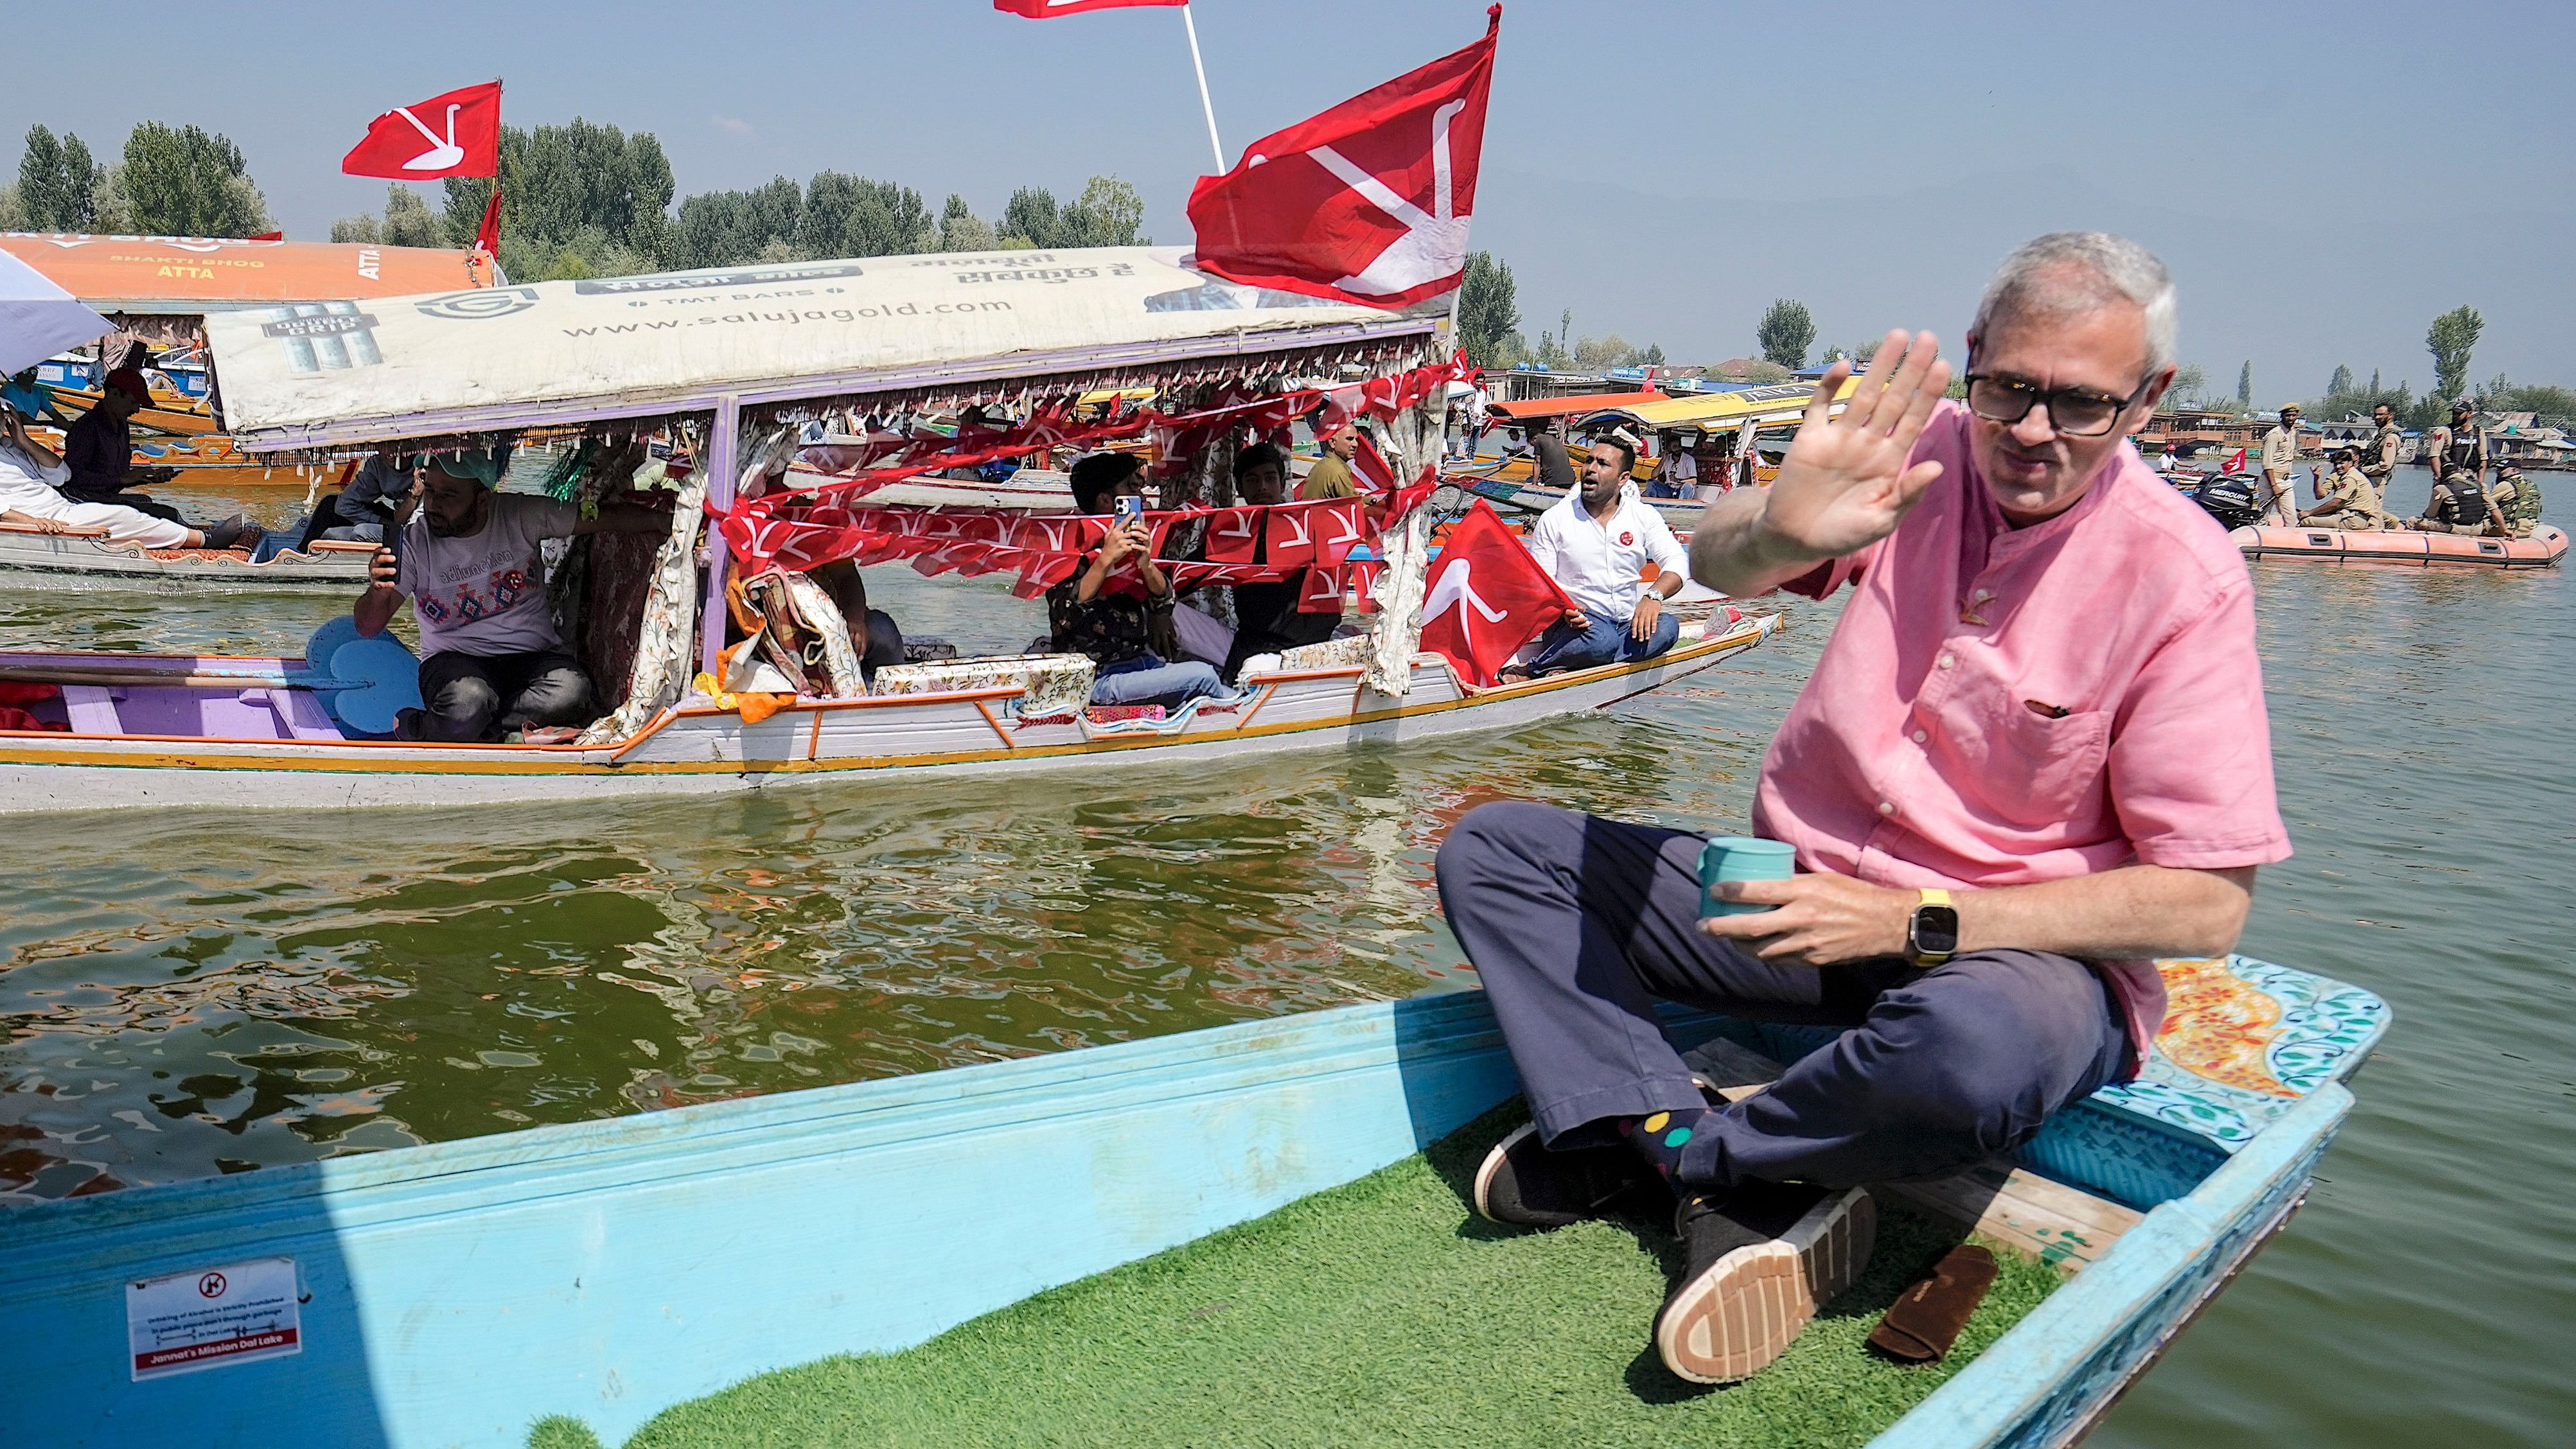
[{"x": 607, "y": 1270}]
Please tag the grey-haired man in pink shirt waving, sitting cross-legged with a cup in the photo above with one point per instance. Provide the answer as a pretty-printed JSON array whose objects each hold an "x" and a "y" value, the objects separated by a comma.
[{"x": 2031, "y": 758}]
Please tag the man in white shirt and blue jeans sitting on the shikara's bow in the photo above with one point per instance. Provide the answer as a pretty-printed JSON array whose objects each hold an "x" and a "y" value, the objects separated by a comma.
[{"x": 1598, "y": 544}]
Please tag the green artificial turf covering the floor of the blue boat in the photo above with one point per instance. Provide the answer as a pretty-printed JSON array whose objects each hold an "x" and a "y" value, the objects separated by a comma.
[{"x": 1374, "y": 1314}]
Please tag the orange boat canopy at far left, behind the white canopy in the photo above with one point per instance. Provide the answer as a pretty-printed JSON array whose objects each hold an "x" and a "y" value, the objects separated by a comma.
[{"x": 192, "y": 277}]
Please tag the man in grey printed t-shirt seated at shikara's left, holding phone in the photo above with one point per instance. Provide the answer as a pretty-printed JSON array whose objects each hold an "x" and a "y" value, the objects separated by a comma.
[{"x": 470, "y": 562}]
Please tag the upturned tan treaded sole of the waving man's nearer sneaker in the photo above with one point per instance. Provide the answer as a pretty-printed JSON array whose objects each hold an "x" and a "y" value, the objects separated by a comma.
[{"x": 1753, "y": 1304}]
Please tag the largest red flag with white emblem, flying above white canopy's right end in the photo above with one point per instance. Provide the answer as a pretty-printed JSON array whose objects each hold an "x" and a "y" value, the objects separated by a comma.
[{"x": 1367, "y": 202}]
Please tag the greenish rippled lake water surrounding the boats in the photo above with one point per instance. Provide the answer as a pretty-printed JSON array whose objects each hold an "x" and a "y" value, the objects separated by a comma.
[{"x": 213, "y": 992}]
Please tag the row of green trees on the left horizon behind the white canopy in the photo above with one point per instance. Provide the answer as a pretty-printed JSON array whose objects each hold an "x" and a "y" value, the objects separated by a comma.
[{"x": 578, "y": 199}]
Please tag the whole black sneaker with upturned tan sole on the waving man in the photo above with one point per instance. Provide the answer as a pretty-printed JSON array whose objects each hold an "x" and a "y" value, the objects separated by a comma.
[{"x": 1761, "y": 1262}]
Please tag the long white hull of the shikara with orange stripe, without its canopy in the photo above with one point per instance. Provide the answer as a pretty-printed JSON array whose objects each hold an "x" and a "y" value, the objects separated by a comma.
[{"x": 243, "y": 732}]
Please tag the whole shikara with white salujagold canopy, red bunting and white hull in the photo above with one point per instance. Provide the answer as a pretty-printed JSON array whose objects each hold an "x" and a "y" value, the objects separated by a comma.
[{"x": 741, "y": 362}]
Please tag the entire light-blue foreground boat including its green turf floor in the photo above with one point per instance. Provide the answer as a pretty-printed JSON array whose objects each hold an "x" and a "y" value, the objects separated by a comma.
[{"x": 612, "y": 1273}]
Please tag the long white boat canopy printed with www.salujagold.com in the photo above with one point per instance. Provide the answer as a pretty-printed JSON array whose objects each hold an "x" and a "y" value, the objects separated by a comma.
[{"x": 743, "y": 338}]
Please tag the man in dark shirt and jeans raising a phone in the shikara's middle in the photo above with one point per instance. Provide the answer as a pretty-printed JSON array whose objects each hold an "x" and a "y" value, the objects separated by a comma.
[{"x": 1127, "y": 637}]
